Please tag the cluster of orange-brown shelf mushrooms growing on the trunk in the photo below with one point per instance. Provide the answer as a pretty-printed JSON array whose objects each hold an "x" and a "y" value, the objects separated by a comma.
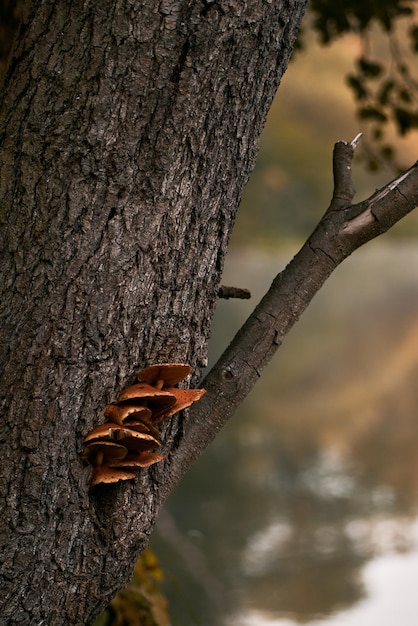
[{"x": 128, "y": 440}]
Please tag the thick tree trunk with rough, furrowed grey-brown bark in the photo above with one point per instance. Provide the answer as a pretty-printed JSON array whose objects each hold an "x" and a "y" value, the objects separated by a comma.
[{"x": 127, "y": 133}]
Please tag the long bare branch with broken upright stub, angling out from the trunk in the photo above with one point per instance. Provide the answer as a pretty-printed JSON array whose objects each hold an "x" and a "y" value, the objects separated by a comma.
[{"x": 343, "y": 229}]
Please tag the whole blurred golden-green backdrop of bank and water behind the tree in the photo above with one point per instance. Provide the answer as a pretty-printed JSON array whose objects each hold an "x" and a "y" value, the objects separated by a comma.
[{"x": 304, "y": 509}]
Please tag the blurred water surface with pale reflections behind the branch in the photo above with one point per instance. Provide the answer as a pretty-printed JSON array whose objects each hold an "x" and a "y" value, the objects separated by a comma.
[{"x": 304, "y": 510}]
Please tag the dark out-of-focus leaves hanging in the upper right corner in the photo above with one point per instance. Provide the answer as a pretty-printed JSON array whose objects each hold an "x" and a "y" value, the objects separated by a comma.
[{"x": 384, "y": 85}]
